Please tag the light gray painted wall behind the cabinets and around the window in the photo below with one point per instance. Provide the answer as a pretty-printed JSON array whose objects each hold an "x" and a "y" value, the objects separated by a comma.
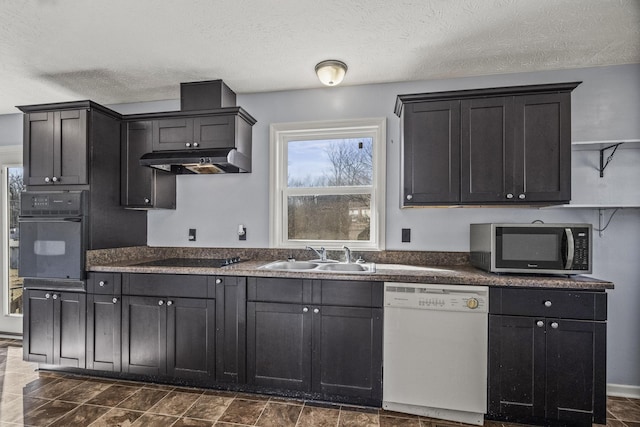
[{"x": 606, "y": 106}]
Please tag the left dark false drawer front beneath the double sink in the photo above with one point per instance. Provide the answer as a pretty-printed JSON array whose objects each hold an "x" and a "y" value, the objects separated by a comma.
[{"x": 278, "y": 290}]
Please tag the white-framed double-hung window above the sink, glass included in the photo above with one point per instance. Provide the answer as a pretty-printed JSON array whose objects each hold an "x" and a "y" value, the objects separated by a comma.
[{"x": 328, "y": 184}]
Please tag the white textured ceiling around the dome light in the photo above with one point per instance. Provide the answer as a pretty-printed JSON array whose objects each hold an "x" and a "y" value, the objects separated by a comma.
[{"x": 119, "y": 51}]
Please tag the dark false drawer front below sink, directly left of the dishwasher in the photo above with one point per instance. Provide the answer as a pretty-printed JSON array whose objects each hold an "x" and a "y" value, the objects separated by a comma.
[{"x": 351, "y": 293}]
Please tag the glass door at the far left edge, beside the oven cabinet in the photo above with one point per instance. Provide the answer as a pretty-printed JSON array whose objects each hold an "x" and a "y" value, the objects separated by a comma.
[{"x": 11, "y": 296}]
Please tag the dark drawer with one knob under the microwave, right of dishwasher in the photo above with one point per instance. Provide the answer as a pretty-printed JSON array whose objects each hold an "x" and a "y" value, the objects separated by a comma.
[{"x": 562, "y": 304}]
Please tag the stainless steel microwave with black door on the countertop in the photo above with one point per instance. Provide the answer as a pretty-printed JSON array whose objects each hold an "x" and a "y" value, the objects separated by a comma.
[{"x": 532, "y": 248}]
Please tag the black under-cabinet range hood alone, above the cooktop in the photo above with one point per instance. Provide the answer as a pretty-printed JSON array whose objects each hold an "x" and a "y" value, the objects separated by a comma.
[{"x": 219, "y": 160}]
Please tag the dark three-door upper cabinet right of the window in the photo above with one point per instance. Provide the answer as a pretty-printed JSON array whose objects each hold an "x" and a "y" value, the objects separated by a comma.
[{"x": 497, "y": 146}]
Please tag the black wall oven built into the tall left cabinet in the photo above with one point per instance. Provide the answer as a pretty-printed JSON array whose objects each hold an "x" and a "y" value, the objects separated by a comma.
[{"x": 53, "y": 236}]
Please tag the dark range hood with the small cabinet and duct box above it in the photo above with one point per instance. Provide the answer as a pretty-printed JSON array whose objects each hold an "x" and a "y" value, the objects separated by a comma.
[{"x": 208, "y": 119}]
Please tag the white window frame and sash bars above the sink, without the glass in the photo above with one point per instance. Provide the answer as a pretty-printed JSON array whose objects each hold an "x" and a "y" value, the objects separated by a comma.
[{"x": 281, "y": 134}]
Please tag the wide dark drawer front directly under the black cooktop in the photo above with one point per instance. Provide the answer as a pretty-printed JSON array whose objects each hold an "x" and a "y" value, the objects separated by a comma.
[{"x": 175, "y": 285}]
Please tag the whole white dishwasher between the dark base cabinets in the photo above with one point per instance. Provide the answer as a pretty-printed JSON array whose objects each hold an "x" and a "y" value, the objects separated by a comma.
[{"x": 435, "y": 350}]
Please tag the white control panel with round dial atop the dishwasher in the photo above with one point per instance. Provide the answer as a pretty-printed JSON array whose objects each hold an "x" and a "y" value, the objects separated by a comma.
[{"x": 437, "y": 297}]
